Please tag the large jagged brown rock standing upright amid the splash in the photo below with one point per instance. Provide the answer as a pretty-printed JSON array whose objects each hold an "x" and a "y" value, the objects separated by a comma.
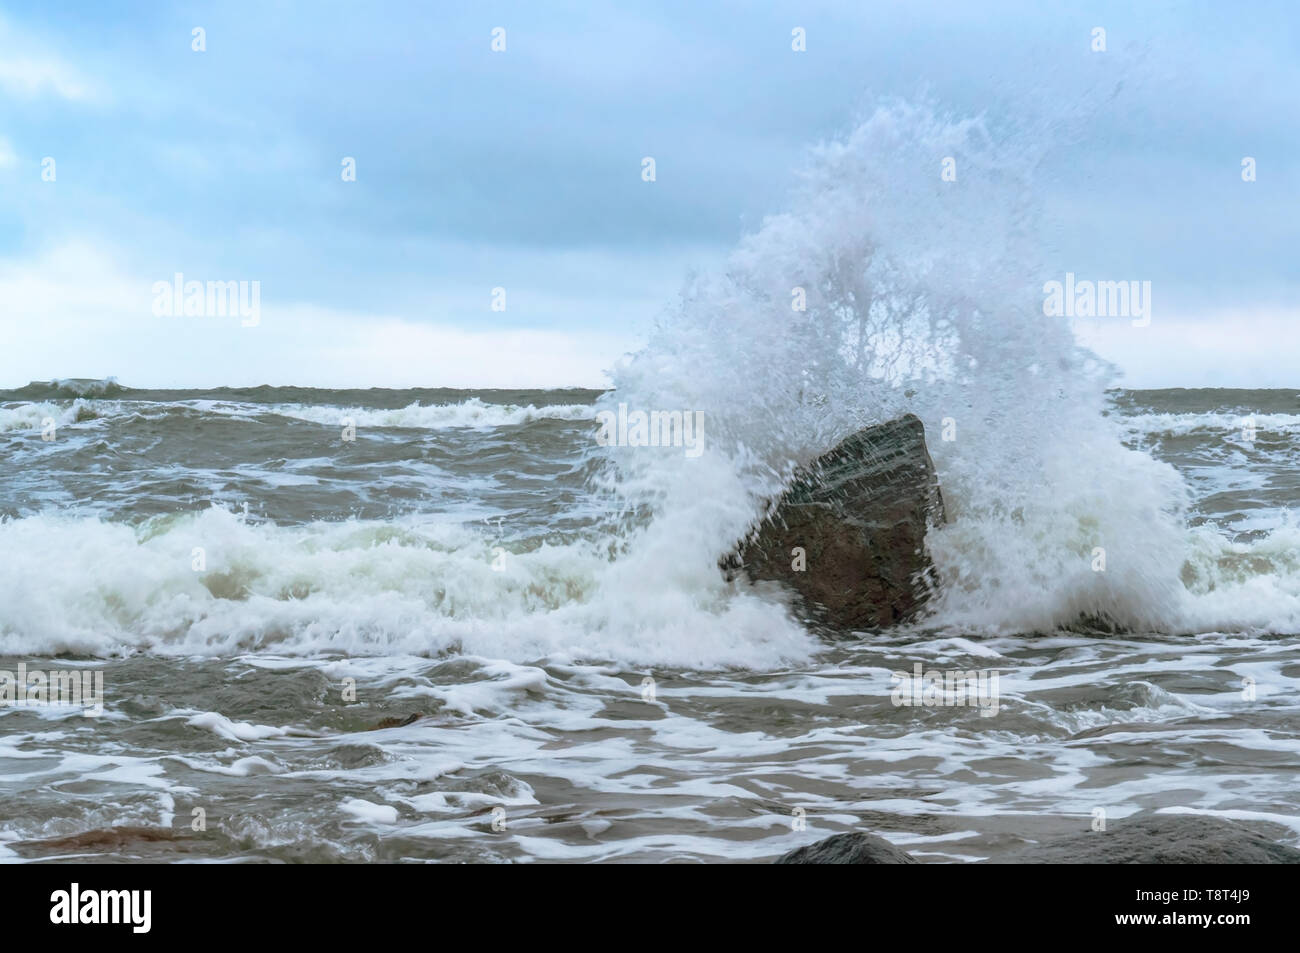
[{"x": 860, "y": 513}]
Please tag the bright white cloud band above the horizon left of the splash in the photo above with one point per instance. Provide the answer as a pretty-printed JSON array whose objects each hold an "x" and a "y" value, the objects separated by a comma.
[{"x": 72, "y": 313}]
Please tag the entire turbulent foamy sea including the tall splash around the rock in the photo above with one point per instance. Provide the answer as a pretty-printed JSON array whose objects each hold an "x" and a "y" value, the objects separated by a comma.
[{"x": 457, "y": 626}]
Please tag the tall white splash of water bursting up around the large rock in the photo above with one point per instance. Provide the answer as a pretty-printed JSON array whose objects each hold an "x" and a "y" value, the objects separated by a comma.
[{"x": 922, "y": 296}]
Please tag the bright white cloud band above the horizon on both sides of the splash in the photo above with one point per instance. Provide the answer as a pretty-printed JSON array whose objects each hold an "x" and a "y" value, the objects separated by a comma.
[{"x": 75, "y": 313}]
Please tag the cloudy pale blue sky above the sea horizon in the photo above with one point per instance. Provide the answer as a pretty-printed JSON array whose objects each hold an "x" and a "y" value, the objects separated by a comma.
[{"x": 522, "y": 170}]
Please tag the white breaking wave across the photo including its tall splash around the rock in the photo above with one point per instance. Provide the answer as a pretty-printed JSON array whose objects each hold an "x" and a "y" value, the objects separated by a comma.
[{"x": 881, "y": 291}]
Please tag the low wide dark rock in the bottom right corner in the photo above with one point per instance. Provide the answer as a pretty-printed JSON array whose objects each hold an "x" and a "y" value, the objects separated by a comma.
[{"x": 1159, "y": 839}]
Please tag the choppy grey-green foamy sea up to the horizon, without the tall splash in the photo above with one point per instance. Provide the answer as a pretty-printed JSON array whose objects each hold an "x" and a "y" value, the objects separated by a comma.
[{"x": 465, "y": 562}]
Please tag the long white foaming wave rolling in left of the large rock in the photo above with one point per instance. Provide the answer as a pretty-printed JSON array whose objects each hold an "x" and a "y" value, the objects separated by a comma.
[{"x": 365, "y": 588}]
